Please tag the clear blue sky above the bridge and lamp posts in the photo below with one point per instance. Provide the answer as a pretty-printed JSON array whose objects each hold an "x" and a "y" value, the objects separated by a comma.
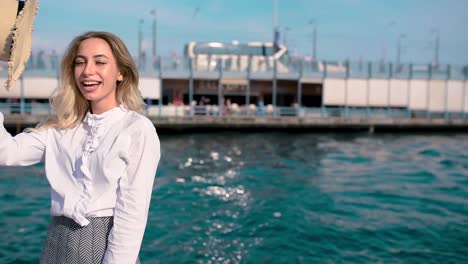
[{"x": 346, "y": 29}]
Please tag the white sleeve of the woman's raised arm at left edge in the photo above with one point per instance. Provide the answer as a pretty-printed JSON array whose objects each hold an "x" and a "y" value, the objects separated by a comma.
[{"x": 23, "y": 149}]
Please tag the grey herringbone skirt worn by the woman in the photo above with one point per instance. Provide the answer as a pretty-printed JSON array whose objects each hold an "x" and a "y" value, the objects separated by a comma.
[{"x": 69, "y": 243}]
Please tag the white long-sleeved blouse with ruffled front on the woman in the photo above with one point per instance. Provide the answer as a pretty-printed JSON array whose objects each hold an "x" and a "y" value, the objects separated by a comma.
[{"x": 104, "y": 167}]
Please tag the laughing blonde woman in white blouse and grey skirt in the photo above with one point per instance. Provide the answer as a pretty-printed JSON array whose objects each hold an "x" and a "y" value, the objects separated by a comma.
[{"x": 100, "y": 155}]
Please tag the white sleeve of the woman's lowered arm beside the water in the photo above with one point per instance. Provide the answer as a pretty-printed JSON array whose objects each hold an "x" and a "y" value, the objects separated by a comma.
[{"x": 134, "y": 194}]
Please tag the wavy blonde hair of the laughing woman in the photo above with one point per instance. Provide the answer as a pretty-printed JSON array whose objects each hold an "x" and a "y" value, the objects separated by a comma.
[{"x": 70, "y": 105}]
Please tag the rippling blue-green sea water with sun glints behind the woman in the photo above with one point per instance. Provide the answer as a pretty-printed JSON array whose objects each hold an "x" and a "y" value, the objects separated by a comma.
[{"x": 281, "y": 198}]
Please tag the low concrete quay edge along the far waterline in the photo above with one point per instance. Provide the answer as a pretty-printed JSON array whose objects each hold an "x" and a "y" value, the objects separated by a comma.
[{"x": 187, "y": 124}]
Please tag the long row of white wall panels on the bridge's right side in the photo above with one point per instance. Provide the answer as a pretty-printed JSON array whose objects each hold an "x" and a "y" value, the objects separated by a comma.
[{"x": 433, "y": 95}]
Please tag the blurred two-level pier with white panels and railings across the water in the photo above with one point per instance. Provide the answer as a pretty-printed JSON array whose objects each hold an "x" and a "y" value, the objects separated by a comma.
[{"x": 269, "y": 91}]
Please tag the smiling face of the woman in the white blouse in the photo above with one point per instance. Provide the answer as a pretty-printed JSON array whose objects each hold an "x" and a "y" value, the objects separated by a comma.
[{"x": 96, "y": 74}]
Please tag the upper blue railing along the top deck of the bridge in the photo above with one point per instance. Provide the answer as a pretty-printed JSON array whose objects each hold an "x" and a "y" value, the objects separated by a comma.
[{"x": 298, "y": 67}]
